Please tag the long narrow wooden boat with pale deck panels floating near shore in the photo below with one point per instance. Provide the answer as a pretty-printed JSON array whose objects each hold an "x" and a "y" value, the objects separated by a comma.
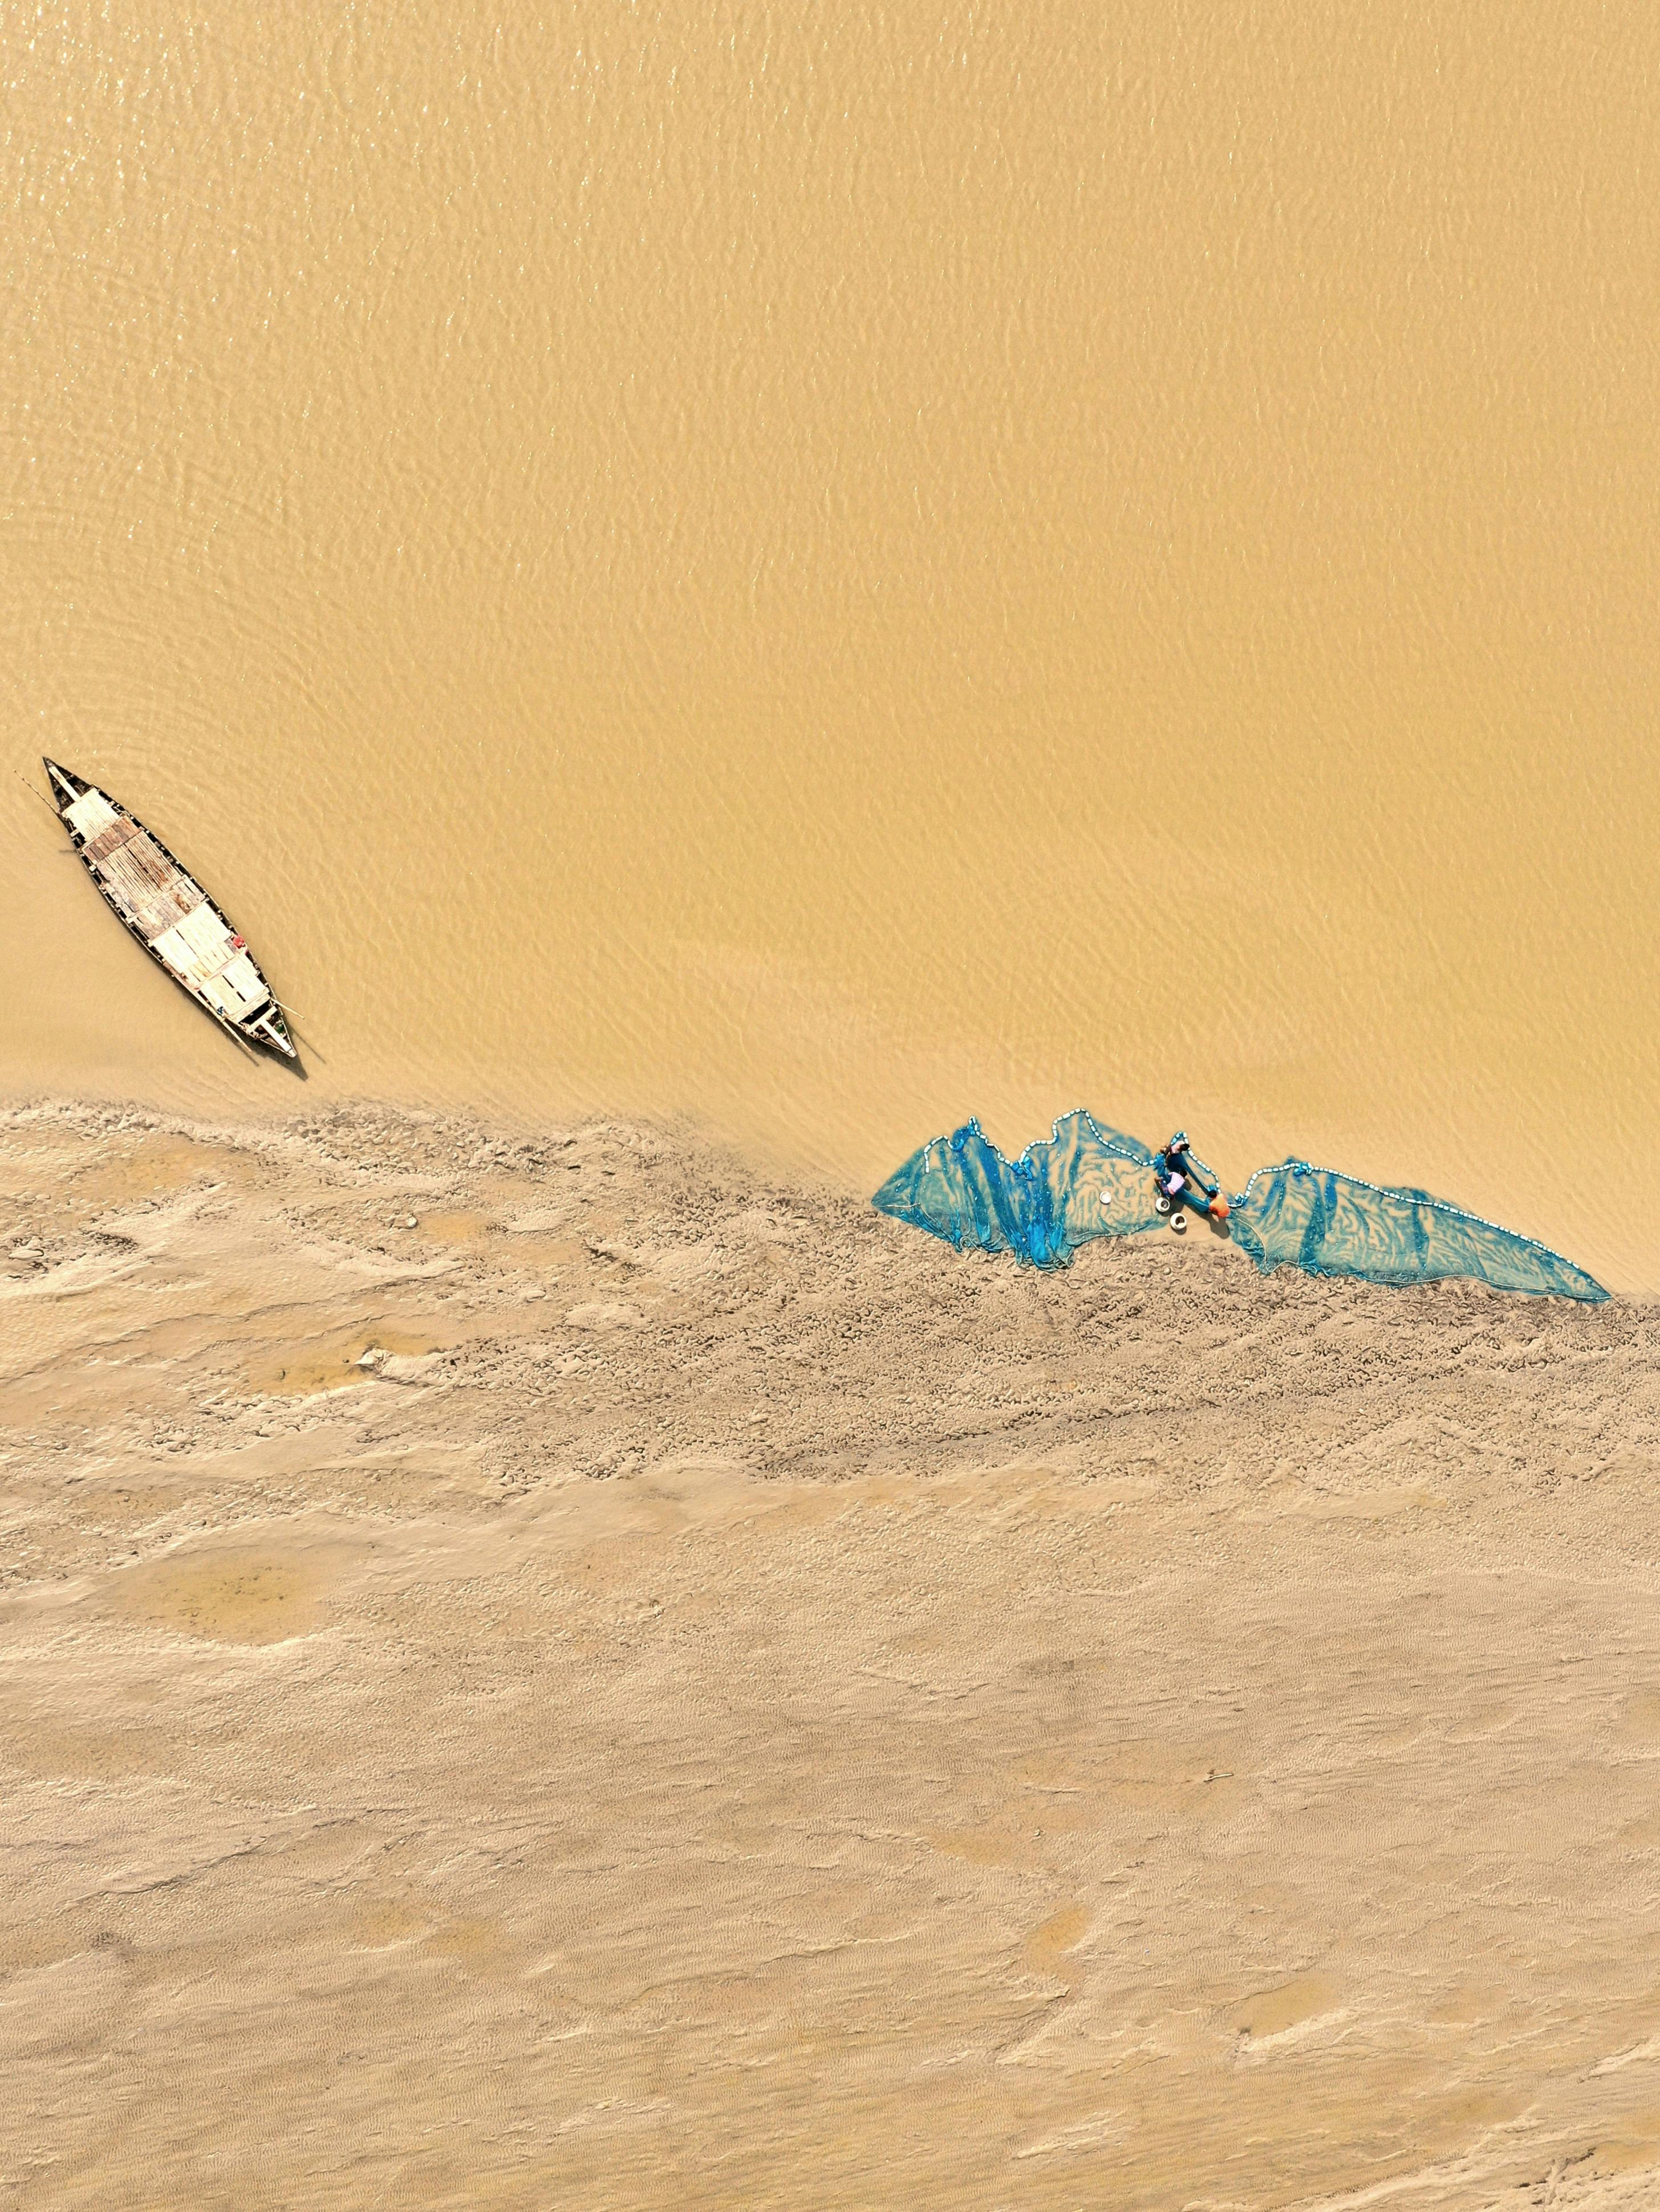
[{"x": 167, "y": 910}]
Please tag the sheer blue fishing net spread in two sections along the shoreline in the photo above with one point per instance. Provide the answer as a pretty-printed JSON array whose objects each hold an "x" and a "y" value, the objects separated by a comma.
[{"x": 1099, "y": 1182}]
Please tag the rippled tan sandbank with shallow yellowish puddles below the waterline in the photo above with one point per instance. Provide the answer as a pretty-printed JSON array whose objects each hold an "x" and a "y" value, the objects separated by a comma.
[{"x": 568, "y": 1673}]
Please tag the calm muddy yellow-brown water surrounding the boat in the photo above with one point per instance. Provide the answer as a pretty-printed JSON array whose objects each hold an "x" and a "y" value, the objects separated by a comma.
[{"x": 842, "y": 570}]
